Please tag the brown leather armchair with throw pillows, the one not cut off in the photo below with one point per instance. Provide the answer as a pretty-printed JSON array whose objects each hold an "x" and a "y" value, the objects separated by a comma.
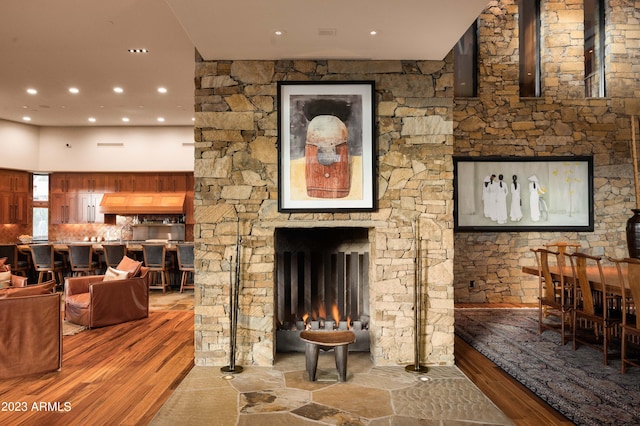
[{"x": 92, "y": 302}]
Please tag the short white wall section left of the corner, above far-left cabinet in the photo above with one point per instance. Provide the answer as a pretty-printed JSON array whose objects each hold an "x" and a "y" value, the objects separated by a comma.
[{"x": 19, "y": 148}]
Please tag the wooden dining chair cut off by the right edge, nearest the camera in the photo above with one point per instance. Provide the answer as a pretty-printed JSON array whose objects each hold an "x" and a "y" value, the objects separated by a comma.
[{"x": 630, "y": 282}]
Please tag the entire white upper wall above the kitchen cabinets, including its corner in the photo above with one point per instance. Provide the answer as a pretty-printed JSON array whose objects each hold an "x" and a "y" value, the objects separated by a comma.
[{"x": 145, "y": 149}]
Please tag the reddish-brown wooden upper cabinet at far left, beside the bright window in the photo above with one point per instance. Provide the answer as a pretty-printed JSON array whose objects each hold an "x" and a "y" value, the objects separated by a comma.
[{"x": 15, "y": 197}]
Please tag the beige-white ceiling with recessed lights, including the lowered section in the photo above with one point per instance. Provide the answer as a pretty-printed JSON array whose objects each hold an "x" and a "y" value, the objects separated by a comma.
[{"x": 52, "y": 45}]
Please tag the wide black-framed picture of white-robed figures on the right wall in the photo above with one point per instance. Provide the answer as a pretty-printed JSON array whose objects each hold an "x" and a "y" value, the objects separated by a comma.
[{"x": 563, "y": 184}]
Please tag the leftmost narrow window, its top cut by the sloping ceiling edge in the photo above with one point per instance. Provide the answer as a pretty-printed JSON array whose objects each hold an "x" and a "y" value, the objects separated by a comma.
[{"x": 465, "y": 63}]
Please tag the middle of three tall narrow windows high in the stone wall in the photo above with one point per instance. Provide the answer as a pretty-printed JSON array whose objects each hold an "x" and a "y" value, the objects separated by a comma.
[{"x": 529, "y": 27}]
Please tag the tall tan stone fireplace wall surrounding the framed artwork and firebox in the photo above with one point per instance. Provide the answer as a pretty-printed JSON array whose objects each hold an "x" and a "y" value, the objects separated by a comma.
[{"x": 236, "y": 203}]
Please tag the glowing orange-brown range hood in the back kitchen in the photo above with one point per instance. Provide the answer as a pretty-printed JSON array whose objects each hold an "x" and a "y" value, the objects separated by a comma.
[{"x": 143, "y": 203}]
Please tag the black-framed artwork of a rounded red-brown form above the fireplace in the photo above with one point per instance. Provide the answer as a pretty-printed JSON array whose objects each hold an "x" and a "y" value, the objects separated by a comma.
[{"x": 326, "y": 146}]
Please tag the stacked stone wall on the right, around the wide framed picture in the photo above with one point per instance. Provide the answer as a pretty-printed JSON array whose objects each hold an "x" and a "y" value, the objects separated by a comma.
[{"x": 561, "y": 122}]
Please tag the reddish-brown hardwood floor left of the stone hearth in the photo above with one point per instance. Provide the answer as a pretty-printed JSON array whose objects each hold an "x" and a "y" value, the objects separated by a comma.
[{"x": 118, "y": 375}]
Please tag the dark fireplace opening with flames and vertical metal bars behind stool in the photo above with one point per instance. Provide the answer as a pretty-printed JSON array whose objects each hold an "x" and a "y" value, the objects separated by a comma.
[{"x": 322, "y": 283}]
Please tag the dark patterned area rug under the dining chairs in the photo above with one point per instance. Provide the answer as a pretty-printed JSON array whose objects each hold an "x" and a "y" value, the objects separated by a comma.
[{"x": 576, "y": 383}]
